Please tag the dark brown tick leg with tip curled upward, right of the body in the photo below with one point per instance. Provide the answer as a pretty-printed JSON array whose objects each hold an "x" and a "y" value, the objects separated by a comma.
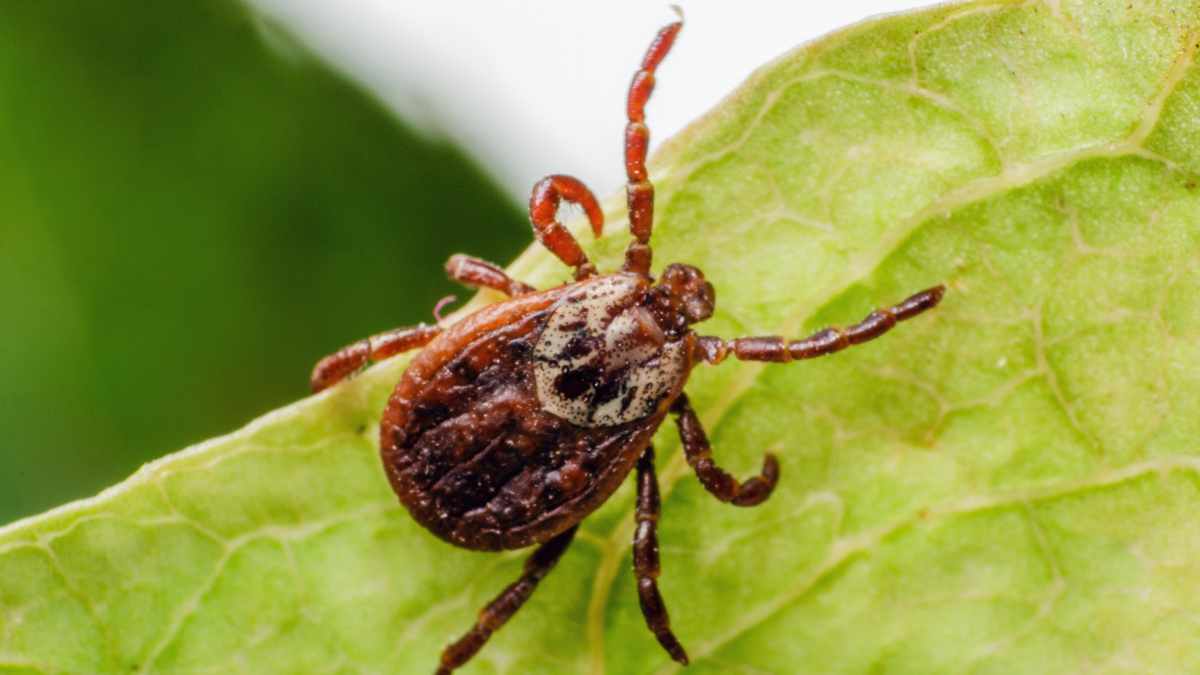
[{"x": 715, "y": 479}]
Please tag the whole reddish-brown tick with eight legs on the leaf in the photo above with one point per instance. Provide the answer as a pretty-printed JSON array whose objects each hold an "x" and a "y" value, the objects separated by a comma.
[{"x": 521, "y": 420}]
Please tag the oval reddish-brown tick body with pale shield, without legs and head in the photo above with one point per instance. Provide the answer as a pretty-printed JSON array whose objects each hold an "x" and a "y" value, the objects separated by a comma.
[{"x": 479, "y": 440}]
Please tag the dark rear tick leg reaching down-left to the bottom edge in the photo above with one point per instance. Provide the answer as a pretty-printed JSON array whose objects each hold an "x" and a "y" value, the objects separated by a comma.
[{"x": 499, "y": 612}]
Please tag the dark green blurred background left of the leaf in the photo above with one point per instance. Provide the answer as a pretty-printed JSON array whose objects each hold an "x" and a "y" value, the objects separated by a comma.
[{"x": 190, "y": 218}]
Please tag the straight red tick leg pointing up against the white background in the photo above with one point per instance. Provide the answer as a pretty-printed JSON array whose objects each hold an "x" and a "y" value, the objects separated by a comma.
[{"x": 640, "y": 194}]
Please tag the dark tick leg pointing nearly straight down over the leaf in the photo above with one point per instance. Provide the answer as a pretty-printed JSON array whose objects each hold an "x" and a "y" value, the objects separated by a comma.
[{"x": 646, "y": 558}]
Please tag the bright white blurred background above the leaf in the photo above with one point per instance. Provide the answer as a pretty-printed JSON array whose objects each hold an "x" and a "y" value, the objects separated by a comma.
[{"x": 539, "y": 87}]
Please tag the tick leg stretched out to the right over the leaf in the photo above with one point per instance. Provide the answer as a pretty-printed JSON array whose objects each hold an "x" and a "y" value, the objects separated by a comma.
[{"x": 779, "y": 350}]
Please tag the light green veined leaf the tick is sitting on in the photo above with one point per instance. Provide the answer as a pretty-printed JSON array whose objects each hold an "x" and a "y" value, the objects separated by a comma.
[{"x": 1009, "y": 485}]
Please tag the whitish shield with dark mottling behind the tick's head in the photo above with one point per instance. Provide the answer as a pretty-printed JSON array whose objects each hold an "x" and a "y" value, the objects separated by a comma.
[{"x": 621, "y": 334}]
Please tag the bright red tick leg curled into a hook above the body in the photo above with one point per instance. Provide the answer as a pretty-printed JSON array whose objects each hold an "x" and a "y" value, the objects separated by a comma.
[{"x": 548, "y": 195}]
